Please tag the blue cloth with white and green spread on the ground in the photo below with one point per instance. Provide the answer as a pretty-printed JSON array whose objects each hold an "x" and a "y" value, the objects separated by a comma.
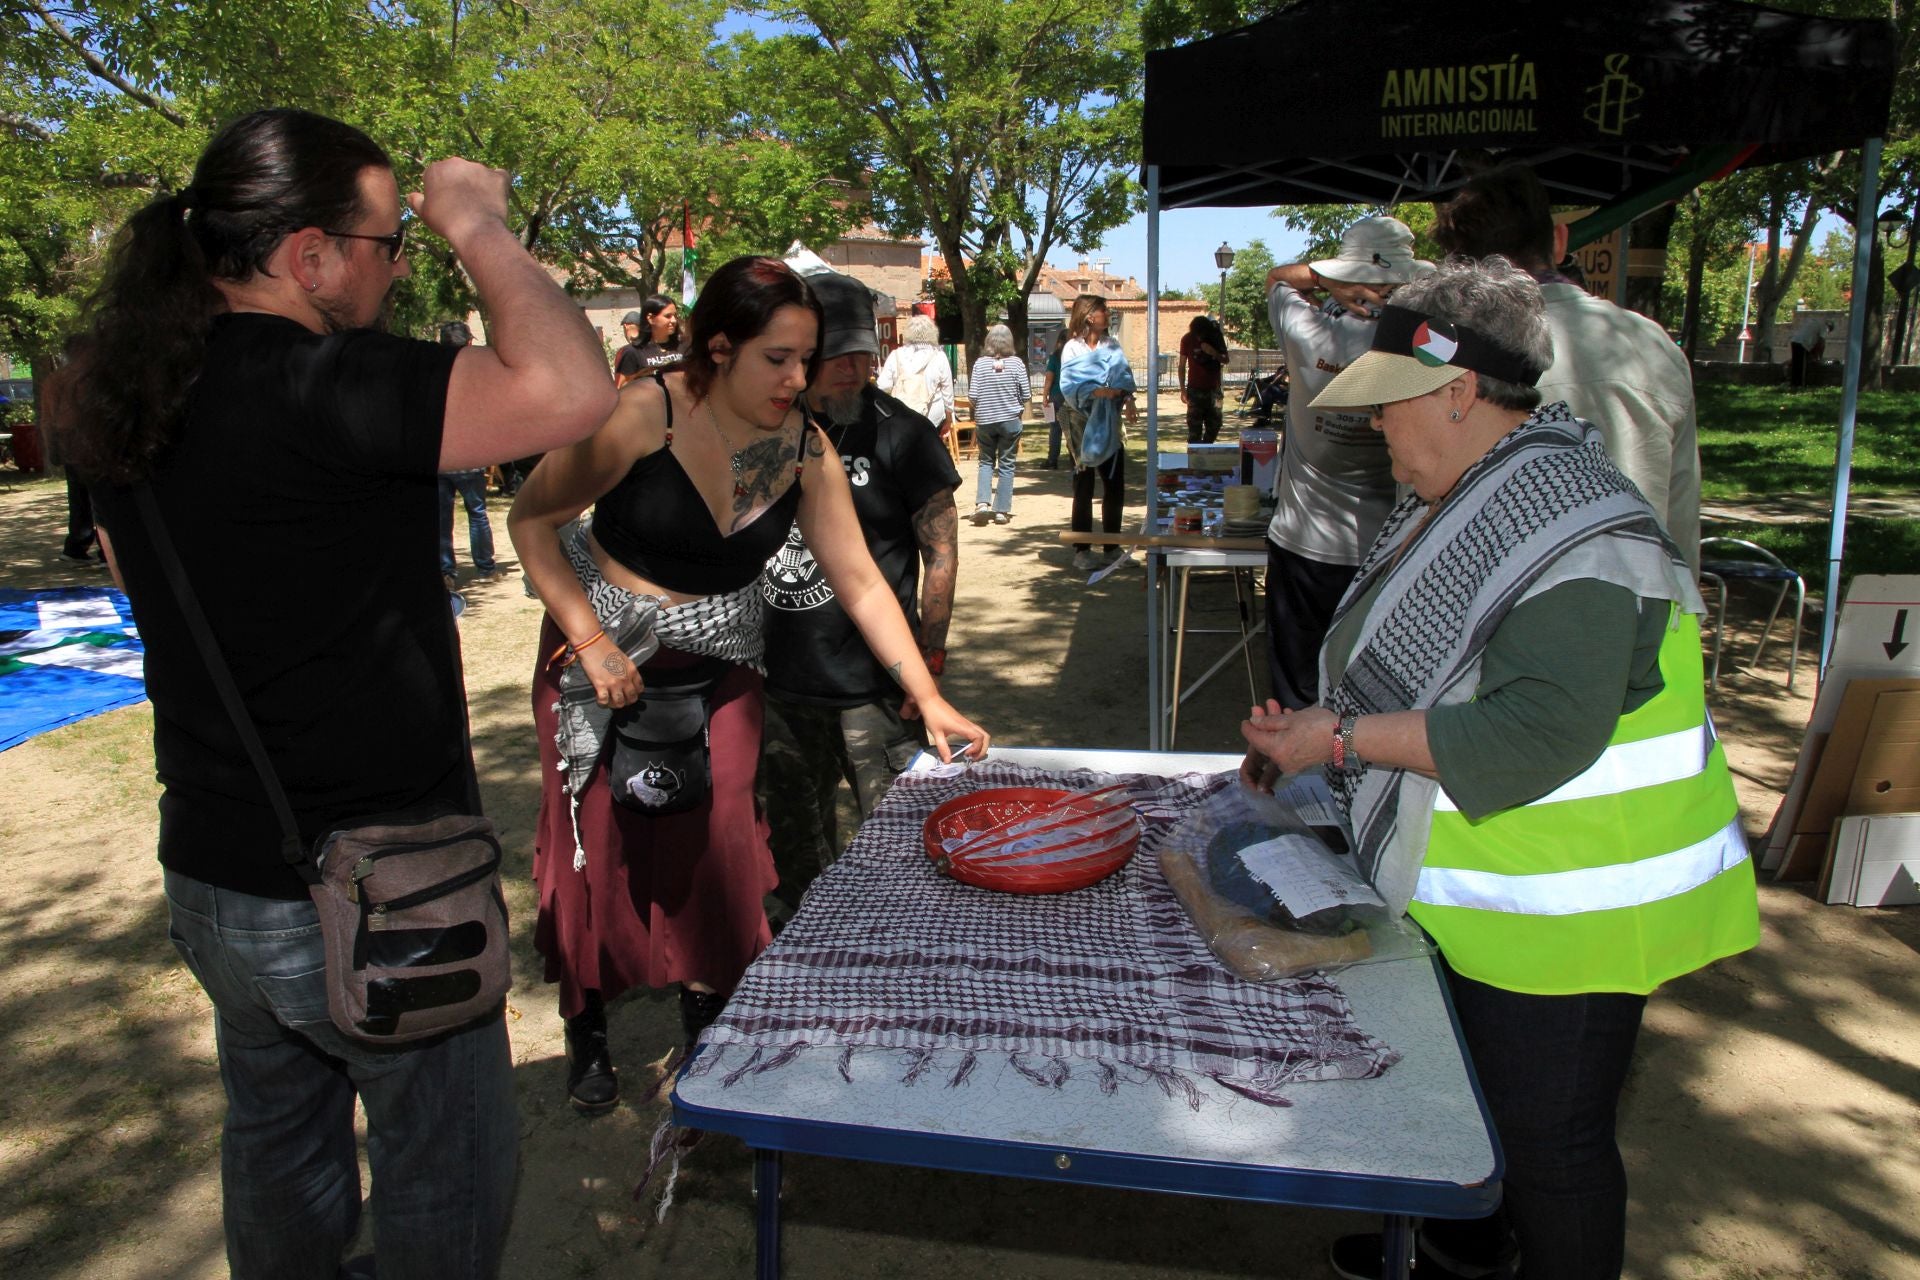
[{"x": 66, "y": 655}]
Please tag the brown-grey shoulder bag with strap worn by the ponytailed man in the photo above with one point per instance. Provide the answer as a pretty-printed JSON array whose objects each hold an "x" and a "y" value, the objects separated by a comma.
[{"x": 412, "y": 916}]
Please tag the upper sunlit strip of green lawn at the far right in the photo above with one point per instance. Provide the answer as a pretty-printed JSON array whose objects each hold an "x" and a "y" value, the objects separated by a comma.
[{"x": 1773, "y": 440}]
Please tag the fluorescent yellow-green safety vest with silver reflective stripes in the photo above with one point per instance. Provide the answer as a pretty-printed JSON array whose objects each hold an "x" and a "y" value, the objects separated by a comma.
[{"x": 1629, "y": 874}]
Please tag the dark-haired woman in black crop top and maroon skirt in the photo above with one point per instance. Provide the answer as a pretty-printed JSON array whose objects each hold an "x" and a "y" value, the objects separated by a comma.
[{"x": 694, "y": 481}]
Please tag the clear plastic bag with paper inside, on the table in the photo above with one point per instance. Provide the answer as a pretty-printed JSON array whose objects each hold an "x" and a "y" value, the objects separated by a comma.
[{"x": 1270, "y": 895}]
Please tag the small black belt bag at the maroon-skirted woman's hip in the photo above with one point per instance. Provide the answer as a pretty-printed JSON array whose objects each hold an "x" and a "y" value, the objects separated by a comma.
[{"x": 661, "y": 761}]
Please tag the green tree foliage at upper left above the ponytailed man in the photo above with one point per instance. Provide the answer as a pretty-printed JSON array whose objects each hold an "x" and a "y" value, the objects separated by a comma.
[{"x": 612, "y": 118}]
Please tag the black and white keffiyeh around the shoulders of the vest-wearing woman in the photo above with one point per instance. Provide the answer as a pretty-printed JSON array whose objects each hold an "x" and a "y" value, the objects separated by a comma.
[{"x": 1547, "y": 506}]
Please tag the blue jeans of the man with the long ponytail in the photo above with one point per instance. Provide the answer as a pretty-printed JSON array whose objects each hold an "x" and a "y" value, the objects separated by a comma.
[{"x": 443, "y": 1126}]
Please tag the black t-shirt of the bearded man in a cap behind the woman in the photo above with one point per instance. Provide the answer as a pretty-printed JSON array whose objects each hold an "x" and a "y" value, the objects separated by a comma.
[{"x": 815, "y": 653}]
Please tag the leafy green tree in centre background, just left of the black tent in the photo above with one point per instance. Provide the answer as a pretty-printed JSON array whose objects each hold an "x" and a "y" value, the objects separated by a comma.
[{"x": 1001, "y": 130}]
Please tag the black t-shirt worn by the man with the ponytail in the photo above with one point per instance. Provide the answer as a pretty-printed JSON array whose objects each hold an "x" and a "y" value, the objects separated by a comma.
[{"x": 302, "y": 500}]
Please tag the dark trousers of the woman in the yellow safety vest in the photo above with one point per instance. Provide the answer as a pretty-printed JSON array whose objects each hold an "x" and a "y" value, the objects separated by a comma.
[{"x": 1552, "y": 1072}]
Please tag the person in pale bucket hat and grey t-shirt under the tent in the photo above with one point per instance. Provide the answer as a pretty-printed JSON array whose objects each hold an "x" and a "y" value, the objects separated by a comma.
[{"x": 1335, "y": 486}]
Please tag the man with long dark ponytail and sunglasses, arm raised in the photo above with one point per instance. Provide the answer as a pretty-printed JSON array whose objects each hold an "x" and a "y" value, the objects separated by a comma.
[{"x": 233, "y": 371}]
